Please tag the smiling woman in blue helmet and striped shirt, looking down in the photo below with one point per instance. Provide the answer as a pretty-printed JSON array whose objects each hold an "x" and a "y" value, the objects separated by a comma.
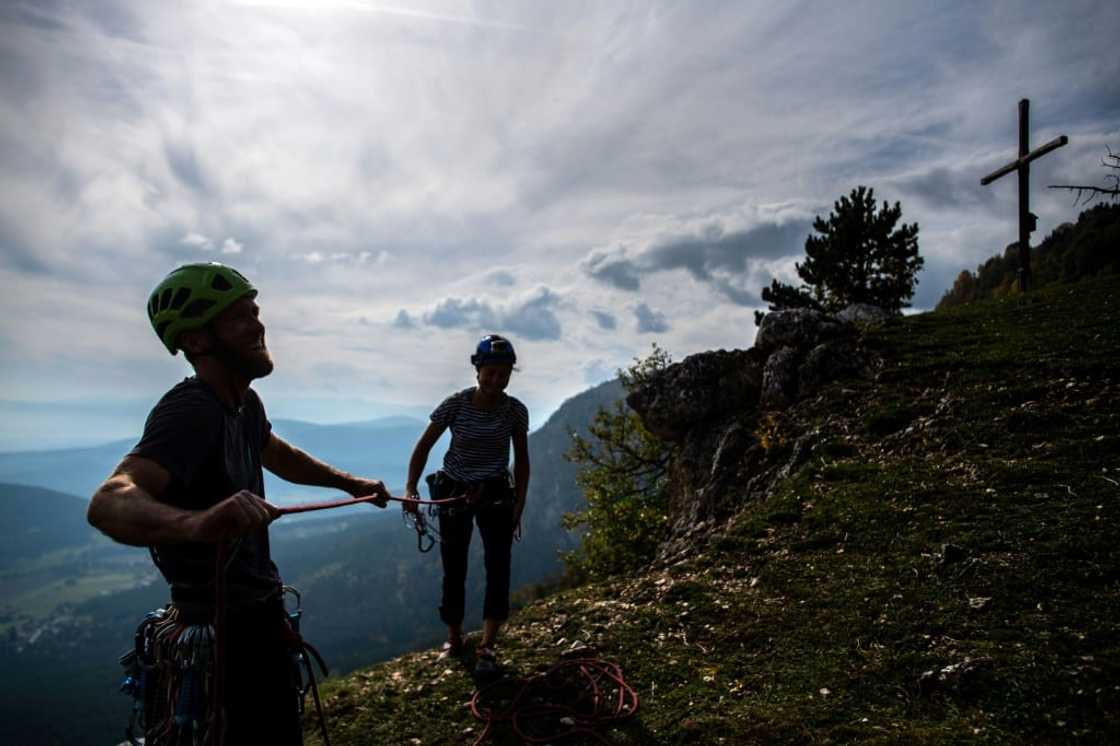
[{"x": 484, "y": 421}]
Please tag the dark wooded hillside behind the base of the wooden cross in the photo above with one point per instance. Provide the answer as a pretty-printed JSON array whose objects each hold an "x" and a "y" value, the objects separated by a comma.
[{"x": 1068, "y": 255}]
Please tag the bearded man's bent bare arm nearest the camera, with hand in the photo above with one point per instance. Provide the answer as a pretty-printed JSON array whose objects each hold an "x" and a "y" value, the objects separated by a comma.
[{"x": 127, "y": 509}]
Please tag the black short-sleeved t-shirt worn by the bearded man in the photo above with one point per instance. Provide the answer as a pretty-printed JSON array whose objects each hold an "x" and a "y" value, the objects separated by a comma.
[{"x": 212, "y": 453}]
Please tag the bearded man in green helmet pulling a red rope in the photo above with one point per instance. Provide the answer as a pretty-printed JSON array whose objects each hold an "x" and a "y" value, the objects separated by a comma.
[{"x": 195, "y": 482}]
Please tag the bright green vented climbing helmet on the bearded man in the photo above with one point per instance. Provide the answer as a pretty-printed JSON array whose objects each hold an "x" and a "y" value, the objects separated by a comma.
[{"x": 192, "y": 296}]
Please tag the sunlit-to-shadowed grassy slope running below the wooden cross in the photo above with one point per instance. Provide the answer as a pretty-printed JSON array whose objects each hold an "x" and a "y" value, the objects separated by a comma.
[{"x": 833, "y": 611}]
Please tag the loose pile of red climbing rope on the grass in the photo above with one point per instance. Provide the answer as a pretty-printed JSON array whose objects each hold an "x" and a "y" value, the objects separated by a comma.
[{"x": 577, "y": 697}]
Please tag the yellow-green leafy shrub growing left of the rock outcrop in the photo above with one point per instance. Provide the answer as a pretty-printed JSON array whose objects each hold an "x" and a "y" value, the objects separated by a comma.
[{"x": 623, "y": 479}]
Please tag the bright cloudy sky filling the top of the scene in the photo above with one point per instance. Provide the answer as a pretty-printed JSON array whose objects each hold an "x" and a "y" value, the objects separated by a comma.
[{"x": 398, "y": 180}]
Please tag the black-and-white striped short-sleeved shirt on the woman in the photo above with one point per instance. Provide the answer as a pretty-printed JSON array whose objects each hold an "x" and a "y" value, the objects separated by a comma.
[{"x": 480, "y": 437}]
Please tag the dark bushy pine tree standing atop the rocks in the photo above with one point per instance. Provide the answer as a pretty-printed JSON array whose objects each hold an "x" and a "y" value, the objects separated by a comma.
[{"x": 861, "y": 257}]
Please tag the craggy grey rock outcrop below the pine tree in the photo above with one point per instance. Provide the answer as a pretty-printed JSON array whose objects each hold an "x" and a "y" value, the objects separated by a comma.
[{"x": 711, "y": 404}]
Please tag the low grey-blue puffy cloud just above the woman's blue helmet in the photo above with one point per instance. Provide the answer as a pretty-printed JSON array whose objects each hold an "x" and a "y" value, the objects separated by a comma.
[{"x": 531, "y": 316}]
